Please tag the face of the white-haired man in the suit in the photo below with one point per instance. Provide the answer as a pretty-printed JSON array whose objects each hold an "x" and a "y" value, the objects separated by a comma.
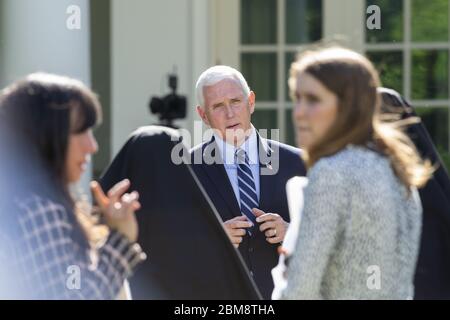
[{"x": 228, "y": 110}]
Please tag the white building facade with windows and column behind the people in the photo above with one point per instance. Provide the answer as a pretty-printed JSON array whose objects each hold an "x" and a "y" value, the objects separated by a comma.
[{"x": 125, "y": 50}]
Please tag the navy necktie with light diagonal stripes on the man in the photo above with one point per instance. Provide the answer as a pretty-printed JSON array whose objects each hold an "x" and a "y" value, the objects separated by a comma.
[{"x": 247, "y": 189}]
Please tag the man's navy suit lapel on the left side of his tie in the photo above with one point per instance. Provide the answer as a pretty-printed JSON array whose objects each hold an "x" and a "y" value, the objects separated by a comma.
[{"x": 219, "y": 178}]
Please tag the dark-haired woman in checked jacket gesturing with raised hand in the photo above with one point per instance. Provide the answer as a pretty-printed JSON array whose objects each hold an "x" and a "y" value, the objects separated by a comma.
[{"x": 54, "y": 247}]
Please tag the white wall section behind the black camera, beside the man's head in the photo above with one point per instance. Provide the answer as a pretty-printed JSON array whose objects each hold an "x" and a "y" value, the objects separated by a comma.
[{"x": 149, "y": 38}]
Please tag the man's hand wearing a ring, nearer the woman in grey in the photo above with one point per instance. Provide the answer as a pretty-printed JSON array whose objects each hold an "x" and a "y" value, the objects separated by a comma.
[{"x": 272, "y": 224}]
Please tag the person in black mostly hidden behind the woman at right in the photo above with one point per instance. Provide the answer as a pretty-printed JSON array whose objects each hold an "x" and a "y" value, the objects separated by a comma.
[{"x": 432, "y": 278}]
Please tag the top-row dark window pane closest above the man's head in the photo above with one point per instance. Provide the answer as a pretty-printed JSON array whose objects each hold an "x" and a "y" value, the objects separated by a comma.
[{"x": 258, "y": 21}]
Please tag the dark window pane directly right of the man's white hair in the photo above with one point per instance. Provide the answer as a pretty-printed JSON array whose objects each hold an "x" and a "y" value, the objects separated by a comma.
[{"x": 260, "y": 70}]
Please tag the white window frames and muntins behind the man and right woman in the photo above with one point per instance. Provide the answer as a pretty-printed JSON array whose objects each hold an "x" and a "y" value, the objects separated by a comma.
[{"x": 346, "y": 18}]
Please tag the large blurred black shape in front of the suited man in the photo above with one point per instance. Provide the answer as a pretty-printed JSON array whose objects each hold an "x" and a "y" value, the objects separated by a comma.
[{"x": 189, "y": 253}]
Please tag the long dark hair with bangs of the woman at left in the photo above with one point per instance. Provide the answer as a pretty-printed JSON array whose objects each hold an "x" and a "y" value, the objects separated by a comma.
[{"x": 40, "y": 112}]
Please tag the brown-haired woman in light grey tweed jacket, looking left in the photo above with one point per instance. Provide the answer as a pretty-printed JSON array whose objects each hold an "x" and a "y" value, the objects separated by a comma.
[{"x": 359, "y": 231}]
